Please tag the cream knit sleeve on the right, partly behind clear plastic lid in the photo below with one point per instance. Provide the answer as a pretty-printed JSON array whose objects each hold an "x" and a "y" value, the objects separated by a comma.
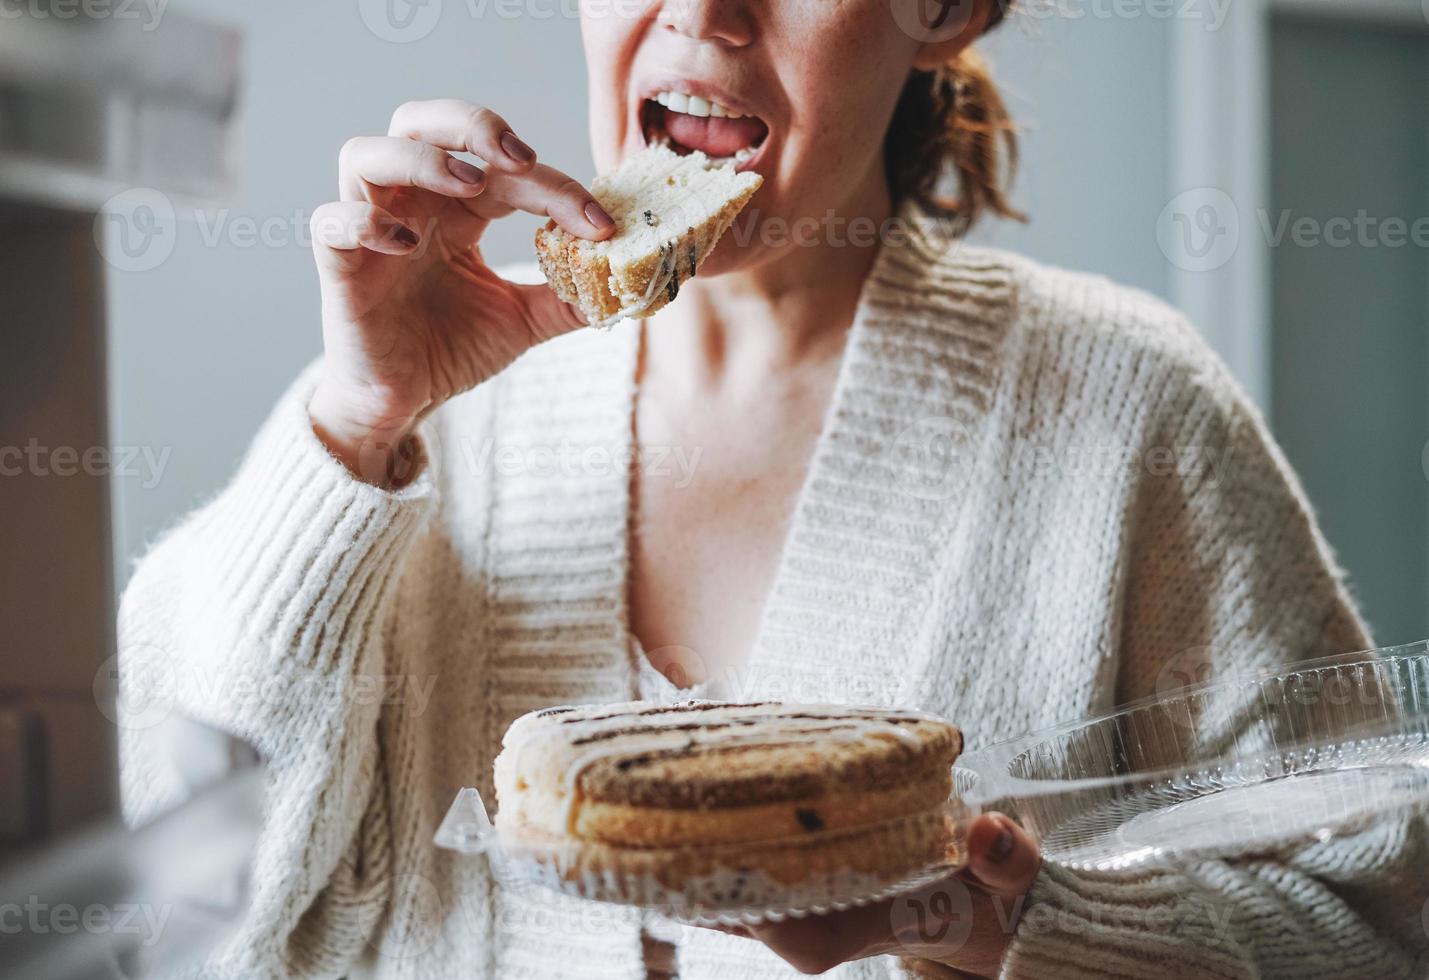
[{"x": 1228, "y": 569}]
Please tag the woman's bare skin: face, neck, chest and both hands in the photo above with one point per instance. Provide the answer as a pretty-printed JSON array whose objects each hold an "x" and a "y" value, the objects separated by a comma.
[{"x": 735, "y": 378}]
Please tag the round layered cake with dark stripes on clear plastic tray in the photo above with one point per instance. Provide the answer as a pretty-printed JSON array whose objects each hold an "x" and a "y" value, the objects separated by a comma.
[{"x": 659, "y": 798}]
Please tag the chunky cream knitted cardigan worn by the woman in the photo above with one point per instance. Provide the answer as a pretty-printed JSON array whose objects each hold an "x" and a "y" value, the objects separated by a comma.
[{"x": 1034, "y": 492}]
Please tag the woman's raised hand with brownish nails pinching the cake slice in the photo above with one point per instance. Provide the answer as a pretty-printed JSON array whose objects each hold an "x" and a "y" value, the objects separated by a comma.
[{"x": 412, "y": 315}]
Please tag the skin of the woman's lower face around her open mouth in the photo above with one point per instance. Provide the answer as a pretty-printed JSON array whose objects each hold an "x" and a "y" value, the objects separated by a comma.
[{"x": 825, "y": 76}]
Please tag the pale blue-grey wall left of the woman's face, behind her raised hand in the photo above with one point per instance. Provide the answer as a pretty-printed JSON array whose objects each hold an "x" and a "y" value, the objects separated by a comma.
[{"x": 204, "y": 345}]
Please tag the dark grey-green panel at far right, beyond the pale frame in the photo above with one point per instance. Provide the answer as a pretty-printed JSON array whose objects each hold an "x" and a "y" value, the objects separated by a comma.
[{"x": 1351, "y": 346}]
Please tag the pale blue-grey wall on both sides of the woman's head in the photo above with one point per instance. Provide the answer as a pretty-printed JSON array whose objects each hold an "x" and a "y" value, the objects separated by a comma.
[{"x": 202, "y": 345}]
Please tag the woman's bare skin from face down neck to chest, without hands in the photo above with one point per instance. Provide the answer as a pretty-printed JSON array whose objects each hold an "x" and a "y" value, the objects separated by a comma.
[{"x": 825, "y": 76}]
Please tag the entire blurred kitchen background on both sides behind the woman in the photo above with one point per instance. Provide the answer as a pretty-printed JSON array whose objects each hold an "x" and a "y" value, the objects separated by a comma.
[{"x": 1261, "y": 164}]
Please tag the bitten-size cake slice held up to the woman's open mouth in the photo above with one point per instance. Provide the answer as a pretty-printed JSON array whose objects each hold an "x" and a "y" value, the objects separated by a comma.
[{"x": 669, "y": 211}]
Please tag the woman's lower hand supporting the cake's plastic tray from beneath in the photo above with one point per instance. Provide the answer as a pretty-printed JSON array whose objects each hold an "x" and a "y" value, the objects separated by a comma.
[{"x": 964, "y": 924}]
